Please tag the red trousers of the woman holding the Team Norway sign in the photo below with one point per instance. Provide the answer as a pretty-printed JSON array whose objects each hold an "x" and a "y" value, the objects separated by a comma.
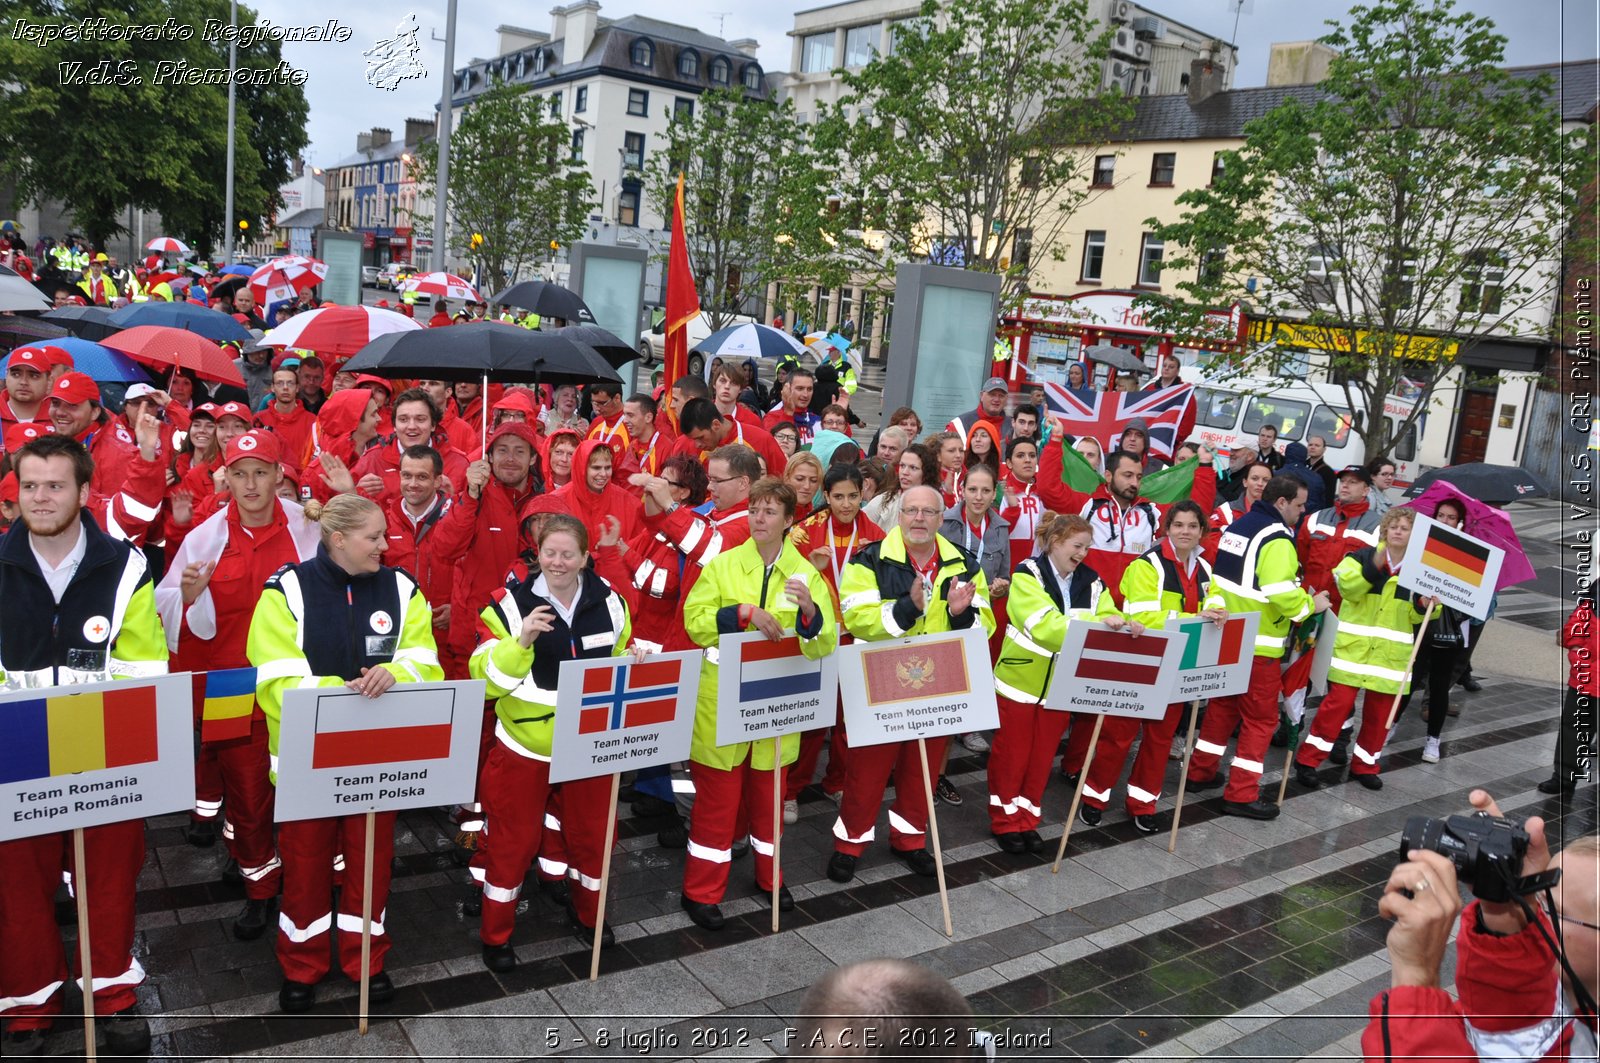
[{"x": 516, "y": 793}]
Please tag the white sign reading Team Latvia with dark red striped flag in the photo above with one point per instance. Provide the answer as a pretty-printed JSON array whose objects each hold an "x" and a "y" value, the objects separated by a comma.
[{"x": 1113, "y": 673}]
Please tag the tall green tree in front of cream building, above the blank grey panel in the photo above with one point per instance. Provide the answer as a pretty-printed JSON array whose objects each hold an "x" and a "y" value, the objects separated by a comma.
[{"x": 972, "y": 142}]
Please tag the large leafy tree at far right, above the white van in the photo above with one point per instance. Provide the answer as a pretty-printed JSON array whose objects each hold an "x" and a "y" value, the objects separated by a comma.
[{"x": 1414, "y": 209}]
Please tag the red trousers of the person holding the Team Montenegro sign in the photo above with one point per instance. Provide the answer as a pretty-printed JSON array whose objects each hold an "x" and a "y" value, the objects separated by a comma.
[{"x": 866, "y": 776}]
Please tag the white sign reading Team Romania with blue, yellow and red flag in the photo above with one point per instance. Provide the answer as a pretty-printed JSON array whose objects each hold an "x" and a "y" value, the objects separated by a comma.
[{"x": 95, "y": 753}]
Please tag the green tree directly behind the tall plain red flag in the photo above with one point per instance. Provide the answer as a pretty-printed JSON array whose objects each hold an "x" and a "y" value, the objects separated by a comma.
[{"x": 751, "y": 196}]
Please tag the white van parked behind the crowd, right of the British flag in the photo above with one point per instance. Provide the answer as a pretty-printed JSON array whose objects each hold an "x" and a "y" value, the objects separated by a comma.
[{"x": 1230, "y": 414}]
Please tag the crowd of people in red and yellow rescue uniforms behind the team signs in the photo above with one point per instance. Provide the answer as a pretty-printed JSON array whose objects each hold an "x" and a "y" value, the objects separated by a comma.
[{"x": 257, "y": 527}]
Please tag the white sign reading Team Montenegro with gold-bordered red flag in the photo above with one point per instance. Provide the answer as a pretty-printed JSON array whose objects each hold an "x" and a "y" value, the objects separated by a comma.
[{"x": 918, "y": 688}]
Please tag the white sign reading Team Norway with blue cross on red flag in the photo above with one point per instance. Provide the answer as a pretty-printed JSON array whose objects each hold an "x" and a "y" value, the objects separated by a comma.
[{"x": 618, "y": 715}]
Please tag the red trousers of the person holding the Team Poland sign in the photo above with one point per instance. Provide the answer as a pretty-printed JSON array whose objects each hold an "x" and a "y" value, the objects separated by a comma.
[{"x": 306, "y": 918}]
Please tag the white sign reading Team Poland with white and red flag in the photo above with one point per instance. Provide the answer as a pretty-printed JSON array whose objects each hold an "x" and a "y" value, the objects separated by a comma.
[{"x": 342, "y": 753}]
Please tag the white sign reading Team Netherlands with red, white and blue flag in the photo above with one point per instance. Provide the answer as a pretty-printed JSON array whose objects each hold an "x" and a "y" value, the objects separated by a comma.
[{"x": 769, "y": 689}]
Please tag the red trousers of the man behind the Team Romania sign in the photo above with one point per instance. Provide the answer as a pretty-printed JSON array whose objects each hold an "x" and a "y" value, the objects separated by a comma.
[{"x": 33, "y": 958}]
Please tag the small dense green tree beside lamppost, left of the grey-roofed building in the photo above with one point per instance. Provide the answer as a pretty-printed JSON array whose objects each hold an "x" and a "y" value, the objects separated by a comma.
[{"x": 513, "y": 180}]
